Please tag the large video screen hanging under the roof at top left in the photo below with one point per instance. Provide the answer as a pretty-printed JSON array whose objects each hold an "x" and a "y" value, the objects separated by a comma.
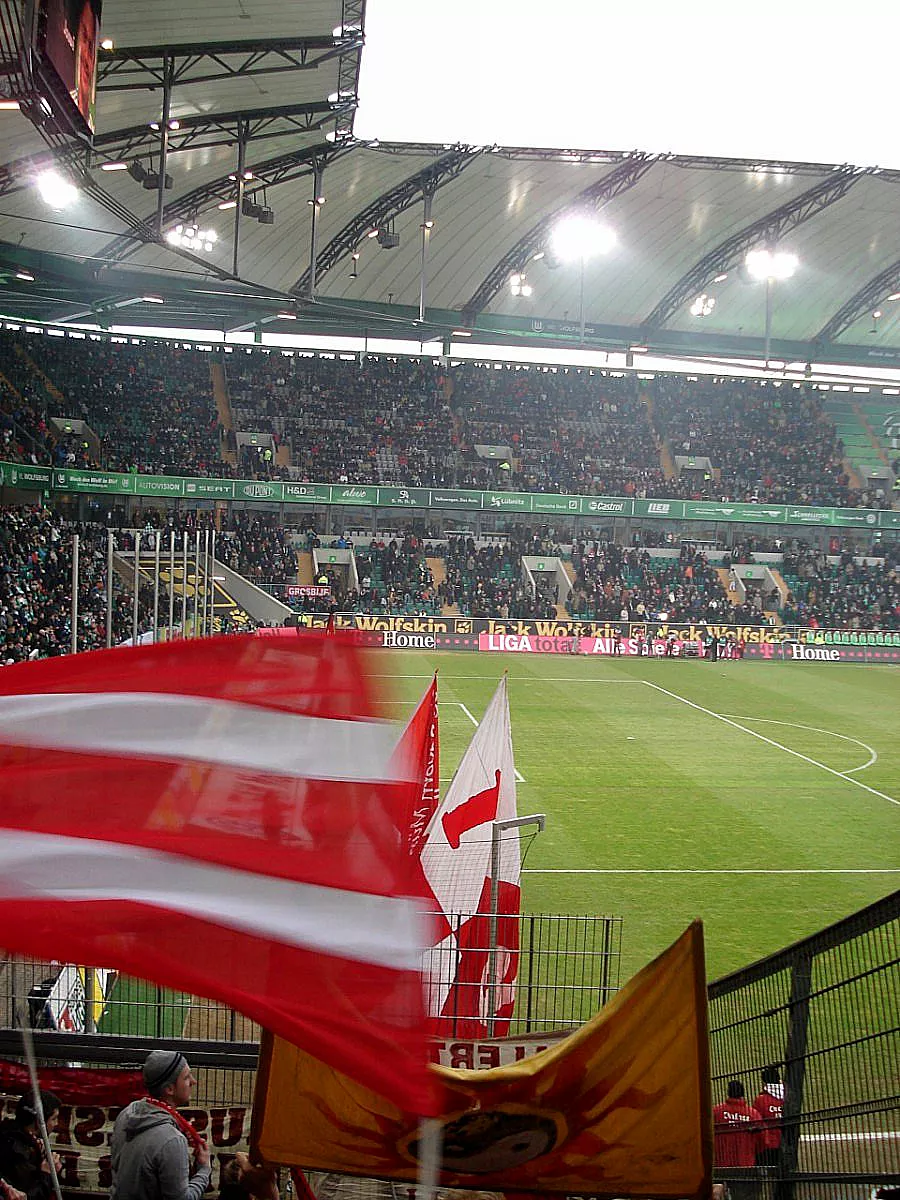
[{"x": 68, "y": 40}]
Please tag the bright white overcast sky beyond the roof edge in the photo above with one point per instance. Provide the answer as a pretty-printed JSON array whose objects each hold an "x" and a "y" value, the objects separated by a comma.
[{"x": 785, "y": 80}]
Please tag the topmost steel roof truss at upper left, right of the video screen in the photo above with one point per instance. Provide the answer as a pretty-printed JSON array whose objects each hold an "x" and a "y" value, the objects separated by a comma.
[{"x": 141, "y": 68}]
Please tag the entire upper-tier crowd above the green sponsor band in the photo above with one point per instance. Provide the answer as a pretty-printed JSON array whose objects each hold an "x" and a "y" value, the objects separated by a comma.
[{"x": 418, "y": 423}]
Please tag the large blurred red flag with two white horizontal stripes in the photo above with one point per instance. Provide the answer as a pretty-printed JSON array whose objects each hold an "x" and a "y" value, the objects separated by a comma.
[{"x": 224, "y": 818}]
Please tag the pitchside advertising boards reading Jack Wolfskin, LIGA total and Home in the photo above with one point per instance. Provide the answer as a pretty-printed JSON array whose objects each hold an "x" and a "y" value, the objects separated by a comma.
[{"x": 771, "y": 644}]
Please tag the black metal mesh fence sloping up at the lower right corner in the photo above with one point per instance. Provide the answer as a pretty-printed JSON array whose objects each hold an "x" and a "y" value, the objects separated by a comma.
[{"x": 826, "y": 1015}]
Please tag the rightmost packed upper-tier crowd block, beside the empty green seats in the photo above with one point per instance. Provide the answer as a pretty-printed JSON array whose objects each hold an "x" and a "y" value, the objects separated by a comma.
[{"x": 765, "y": 443}]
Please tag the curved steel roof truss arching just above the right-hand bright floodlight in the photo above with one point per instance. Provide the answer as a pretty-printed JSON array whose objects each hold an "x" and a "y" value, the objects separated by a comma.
[{"x": 766, "y": 231}]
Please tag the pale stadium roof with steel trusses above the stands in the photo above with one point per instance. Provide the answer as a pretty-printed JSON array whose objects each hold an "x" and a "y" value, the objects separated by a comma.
[{"x": 283, "y": 79}]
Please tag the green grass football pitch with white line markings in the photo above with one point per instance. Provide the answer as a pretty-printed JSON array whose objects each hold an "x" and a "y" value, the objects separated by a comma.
[{"x": 767, "y": 824}]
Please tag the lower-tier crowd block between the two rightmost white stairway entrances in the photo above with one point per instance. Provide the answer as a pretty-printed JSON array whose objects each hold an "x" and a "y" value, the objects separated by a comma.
[{"x": 614, "y": 583}]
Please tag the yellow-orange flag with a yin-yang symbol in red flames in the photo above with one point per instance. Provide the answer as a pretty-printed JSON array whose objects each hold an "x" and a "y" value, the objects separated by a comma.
[{"x": 621, "y": 1108}]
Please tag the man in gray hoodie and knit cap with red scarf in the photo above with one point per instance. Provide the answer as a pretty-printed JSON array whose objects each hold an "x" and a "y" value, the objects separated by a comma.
[{"x": 153, "y": 1143}]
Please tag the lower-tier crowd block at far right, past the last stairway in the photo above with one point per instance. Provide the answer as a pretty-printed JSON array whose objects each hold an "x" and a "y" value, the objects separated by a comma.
[{"x": 849, "y": 593}]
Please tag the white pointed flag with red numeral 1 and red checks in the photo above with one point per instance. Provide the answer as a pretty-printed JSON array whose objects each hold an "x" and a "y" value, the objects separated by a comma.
[{"x": 457, "y": 859}]
